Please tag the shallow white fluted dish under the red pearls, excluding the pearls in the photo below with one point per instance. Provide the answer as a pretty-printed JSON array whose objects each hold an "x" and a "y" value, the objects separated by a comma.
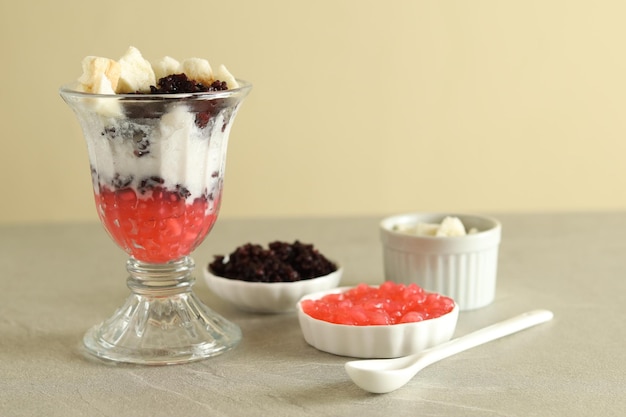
[{"x": 383, "y": 341}]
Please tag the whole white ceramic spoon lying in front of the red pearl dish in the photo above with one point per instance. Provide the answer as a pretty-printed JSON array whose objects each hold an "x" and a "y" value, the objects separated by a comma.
[{"x": 385, "y": 375}]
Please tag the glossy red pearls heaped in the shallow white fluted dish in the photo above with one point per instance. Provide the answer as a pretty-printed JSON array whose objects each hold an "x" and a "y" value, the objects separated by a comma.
[{"x": 390, "y": 303}]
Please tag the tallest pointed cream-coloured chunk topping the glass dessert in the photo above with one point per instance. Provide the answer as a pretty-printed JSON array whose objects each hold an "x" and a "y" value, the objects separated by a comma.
[{"x": 136, "y": 73}]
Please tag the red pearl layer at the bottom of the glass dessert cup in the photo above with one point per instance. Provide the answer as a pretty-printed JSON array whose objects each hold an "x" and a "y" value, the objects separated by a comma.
[{"x": 157, "y": 226}]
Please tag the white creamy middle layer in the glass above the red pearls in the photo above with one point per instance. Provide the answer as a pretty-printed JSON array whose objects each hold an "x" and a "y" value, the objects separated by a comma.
[{"x": 177, "y": 150}]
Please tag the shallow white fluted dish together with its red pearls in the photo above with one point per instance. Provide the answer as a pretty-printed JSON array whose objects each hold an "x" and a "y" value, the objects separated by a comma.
[{"x": 376, "y": 321}]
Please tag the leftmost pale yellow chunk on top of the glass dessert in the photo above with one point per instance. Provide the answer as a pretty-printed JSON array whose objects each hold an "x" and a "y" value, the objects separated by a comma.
[{"x": 100, "y": 75}]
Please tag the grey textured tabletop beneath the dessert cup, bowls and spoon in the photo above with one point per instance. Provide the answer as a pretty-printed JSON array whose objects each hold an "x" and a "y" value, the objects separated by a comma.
[{"x": 58, "y": 280}]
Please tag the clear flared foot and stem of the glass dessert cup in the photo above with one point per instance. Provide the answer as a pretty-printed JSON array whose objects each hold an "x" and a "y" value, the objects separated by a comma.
[{"x": 162, "y": 321}]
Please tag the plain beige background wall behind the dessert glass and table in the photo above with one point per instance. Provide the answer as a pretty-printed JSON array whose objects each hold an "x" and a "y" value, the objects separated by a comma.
[{"x": 358, "y": 108}]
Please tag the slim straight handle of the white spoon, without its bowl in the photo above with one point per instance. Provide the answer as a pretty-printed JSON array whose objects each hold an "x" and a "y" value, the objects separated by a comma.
[{"x": 484, "y": 335}]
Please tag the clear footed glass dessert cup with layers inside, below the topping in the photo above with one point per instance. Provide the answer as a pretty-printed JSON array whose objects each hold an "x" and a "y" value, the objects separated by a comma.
[{"x": 157, "y": 165}]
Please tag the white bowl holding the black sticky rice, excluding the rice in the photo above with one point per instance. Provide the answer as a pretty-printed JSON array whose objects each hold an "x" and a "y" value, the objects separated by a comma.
[{"x": 269, "y": 297}]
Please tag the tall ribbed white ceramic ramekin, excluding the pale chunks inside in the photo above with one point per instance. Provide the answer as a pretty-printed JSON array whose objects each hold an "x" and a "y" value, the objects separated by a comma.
[{"x": 463, "y": 268}]
